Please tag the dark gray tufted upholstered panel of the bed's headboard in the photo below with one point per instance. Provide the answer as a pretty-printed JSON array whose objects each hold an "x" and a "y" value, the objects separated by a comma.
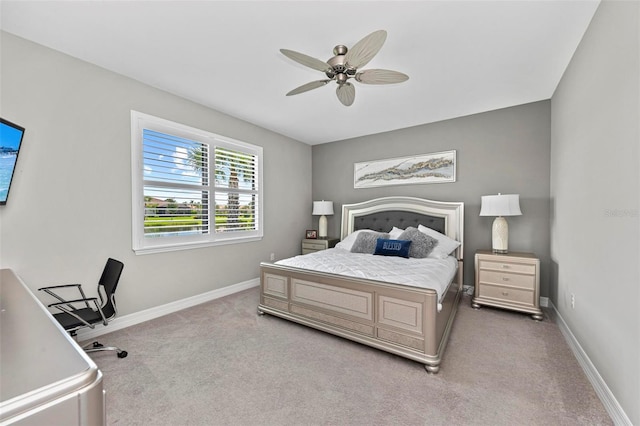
[{"x": 384, "y": 221}]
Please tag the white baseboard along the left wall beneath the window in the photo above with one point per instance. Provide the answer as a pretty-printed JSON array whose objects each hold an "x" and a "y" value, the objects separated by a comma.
[{"x": 148, "y": 314}]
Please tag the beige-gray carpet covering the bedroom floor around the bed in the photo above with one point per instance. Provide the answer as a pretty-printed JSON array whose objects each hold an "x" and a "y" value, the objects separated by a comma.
[{"x": 221, "y": 364}]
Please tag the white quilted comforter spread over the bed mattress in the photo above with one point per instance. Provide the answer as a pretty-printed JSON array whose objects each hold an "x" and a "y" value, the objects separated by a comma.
[{"x": 426, "y": 273}]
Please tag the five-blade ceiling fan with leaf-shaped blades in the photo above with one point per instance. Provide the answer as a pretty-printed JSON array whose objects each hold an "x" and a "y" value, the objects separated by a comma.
[{"x": 345, "y": 65}]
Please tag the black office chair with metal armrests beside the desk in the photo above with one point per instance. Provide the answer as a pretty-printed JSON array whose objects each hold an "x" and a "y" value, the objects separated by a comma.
[{"x": 73, "y": 317}]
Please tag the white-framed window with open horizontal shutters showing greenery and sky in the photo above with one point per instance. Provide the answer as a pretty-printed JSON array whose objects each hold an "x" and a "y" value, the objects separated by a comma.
[{"x": 192, "y": 188}]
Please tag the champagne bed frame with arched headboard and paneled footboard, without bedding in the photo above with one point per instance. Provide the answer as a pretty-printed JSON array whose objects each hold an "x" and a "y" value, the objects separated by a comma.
[{"x": 400, "y": 318}]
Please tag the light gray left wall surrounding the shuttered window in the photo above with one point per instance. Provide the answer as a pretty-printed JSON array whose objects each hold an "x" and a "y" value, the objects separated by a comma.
[{"x": 70, "y": 206}]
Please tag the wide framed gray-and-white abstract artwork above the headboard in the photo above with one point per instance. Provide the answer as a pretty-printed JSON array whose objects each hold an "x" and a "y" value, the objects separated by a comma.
[{"x": 437, "y": 167}]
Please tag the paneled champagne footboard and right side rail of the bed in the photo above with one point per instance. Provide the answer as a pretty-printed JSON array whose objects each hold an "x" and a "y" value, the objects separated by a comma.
[{"x": 395, "y": 318}]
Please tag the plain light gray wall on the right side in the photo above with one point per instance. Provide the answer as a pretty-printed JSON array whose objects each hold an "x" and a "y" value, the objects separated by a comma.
[{"x": 595, "y": 190}]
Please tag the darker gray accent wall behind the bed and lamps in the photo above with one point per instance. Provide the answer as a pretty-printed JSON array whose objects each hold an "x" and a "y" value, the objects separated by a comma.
[{"x": 504, "y": 151}]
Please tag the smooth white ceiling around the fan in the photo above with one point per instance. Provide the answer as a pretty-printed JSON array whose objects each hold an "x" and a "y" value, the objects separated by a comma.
[{"x": 462, "y": 57}]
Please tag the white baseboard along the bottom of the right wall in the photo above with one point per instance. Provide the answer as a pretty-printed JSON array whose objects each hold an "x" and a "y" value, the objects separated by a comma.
[{"x": 609, "y": 401}]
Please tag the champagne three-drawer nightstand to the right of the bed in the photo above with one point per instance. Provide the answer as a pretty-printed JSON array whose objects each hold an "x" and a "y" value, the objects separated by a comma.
[{"x": 509, "y": 281}]
